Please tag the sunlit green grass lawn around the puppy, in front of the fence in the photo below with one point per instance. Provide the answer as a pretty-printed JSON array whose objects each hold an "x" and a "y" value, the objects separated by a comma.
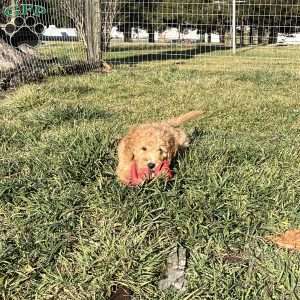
[{"x": 69, "y": 230}]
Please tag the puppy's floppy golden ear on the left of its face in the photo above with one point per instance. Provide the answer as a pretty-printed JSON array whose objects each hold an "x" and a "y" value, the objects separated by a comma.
[{"x": 125, "y": 156}]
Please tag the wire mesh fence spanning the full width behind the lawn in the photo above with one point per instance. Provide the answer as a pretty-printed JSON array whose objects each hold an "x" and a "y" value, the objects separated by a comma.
[{"x": 43, "y": 36}]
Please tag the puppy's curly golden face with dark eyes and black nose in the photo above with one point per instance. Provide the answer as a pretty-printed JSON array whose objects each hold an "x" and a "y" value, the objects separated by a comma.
[{"x": 152, "y": 147}]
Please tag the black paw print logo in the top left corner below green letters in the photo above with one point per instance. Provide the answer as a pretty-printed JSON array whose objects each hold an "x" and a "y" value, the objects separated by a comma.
[{"x": 24, "y": 30}]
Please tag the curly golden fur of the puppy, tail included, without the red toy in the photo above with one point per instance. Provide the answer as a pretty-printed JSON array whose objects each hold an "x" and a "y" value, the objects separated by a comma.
[{"x": 150, "y": 144}]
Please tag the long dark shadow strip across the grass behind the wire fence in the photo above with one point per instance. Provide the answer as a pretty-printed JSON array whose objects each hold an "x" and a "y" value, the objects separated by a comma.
[{"x": 167, "y": 55}]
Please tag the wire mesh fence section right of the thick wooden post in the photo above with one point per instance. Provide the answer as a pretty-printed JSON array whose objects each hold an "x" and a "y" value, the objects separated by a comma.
[{"x": 174, "y": 29}]
